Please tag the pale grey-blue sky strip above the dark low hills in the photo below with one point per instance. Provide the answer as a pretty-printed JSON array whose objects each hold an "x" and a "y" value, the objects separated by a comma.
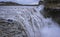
[{"x": 24, "y": 1}]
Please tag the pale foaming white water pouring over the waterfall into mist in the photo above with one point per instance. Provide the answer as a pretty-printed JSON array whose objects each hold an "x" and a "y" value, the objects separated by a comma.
[{"x": 32, "y": 20}]
